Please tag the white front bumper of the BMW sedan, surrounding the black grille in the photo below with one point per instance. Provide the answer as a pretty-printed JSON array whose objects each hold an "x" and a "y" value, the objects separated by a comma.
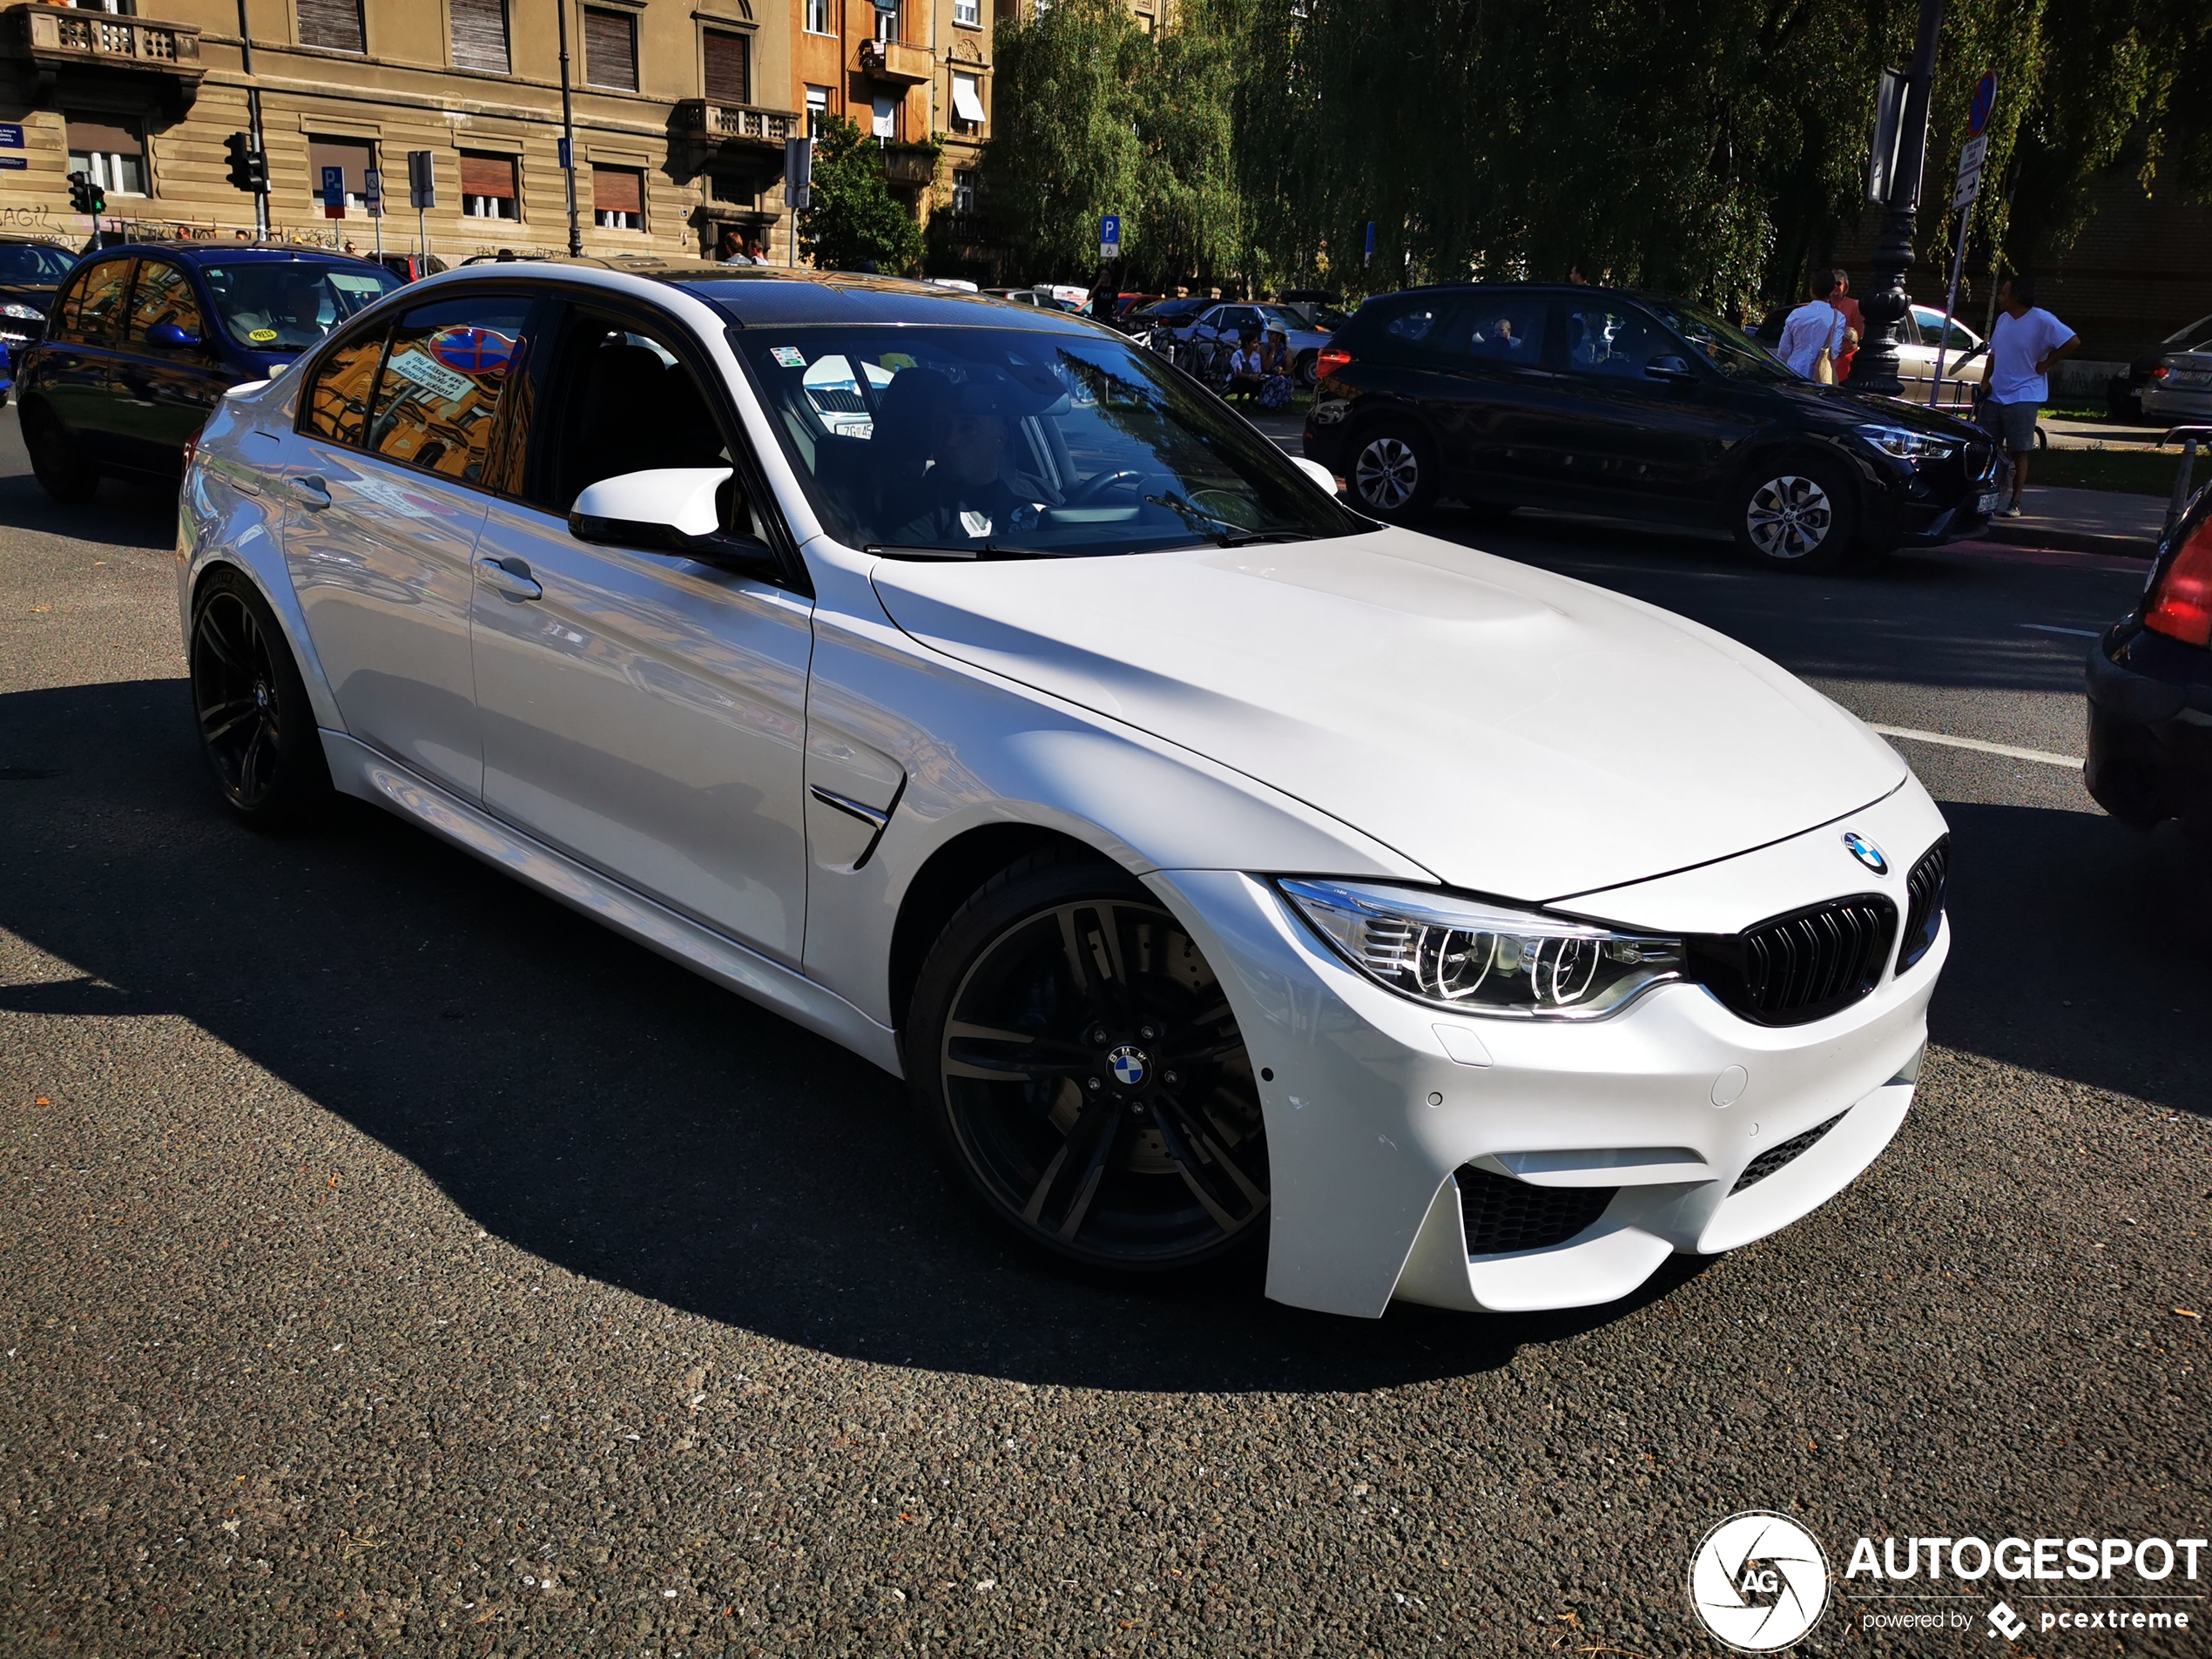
[{"x": 1377, "y": 1103}]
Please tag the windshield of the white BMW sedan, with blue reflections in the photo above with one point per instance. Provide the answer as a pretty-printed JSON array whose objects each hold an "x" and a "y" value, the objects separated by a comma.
[{"x": 1021, "y": 444}]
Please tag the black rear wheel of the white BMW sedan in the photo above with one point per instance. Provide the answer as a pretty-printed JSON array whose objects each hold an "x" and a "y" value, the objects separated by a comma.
[{"x": 255, "y": 722}]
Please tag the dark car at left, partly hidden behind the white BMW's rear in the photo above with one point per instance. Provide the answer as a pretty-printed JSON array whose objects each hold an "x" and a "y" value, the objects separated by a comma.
[{"x": 145, "y": 342}]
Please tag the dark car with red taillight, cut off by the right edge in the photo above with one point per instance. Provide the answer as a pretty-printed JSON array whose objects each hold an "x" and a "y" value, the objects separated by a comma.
[{"x": 2151, "y": 691}]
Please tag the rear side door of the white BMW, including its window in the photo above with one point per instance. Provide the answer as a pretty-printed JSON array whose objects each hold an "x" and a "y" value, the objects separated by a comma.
[{"x": 395, "y": 463}]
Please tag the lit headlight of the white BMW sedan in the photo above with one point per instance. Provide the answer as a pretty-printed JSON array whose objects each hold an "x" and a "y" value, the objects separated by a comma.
[{"x": 1472, "y": 957}]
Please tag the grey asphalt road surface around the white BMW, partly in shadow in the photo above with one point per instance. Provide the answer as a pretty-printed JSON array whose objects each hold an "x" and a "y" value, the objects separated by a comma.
[{"x": 397, "y": 1264}]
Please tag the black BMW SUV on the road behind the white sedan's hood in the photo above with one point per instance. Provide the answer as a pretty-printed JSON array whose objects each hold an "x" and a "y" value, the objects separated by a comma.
[{"x": 1634, "y": 406}]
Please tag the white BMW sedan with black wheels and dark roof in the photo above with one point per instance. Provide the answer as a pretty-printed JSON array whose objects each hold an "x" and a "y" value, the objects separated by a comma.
[{"x": 1222, "y": 870}]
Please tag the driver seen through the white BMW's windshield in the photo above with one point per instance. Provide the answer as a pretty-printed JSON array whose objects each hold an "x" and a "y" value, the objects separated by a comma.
[{"x": 948, "y": 479}]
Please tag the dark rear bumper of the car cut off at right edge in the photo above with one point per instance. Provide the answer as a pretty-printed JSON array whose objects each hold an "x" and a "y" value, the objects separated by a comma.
[{"x": 2149, "y": 729}]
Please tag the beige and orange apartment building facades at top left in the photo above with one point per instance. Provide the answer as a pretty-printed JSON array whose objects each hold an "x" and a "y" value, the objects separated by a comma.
[{"x": 682, "y": 109}]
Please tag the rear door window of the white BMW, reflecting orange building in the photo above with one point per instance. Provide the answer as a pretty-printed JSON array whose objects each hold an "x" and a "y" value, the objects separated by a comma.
[{"x": 439, "y": 397}]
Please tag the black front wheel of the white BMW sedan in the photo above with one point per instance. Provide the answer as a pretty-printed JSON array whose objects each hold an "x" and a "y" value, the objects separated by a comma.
[{"x": 1078, "y": 1067}]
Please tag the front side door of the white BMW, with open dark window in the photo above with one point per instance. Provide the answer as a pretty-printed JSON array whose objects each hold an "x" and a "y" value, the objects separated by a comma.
[{"x": 645, "y": 713}]
